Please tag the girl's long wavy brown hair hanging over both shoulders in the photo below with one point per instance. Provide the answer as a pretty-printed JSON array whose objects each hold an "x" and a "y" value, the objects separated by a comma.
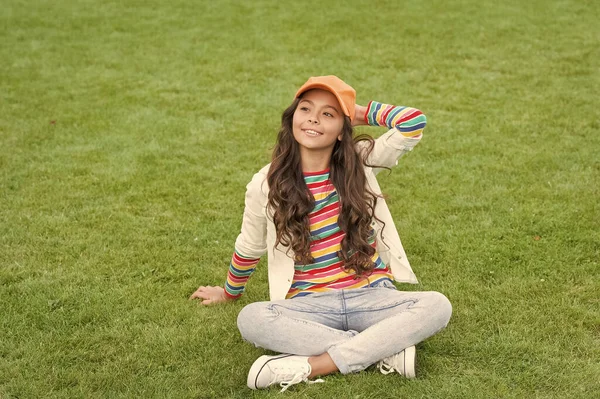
[{"x": 290, "y": 201}]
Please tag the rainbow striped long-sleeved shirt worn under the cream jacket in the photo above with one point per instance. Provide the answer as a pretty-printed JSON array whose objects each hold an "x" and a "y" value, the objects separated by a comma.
[{"x": 327, "y": 272}]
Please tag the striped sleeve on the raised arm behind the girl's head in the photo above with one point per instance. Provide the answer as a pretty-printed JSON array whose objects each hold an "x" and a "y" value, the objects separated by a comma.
[{"x": 410, "y": 122}]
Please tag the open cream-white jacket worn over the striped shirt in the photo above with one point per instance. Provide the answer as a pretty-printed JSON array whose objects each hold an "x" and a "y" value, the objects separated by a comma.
[{"x": 257, "y": 235}]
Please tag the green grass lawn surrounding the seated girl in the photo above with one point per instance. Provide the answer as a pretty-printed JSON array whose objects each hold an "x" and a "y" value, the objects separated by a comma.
[{"x": 128, "y": 131}]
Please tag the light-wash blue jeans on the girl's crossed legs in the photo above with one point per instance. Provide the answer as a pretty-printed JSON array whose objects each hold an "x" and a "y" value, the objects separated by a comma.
[{"x": 356, "y": 327}]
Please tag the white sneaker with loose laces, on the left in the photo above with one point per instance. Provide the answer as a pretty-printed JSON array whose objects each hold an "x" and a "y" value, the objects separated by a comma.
[{"x": 285, "y": 370}]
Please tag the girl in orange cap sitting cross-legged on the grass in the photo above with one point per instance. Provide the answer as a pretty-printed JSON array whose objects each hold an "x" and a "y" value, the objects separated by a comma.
[{"x": 333, "y": 250}]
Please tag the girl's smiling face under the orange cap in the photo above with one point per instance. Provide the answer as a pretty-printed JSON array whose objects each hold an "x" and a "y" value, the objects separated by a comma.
[{"x": 317, "y": 123}]
